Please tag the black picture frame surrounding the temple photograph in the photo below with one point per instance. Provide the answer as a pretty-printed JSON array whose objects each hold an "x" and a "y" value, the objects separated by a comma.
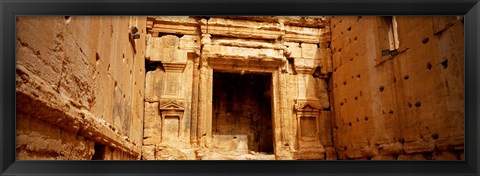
[{"x": 9, "y": 9}]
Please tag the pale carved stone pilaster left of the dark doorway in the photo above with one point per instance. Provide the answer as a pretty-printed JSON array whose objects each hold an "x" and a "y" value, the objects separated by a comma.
[{"x": 172, "y": 101}]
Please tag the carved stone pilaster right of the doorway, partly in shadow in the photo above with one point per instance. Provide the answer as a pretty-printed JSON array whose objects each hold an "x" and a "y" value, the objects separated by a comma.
[{"x": 307, "y": 106}]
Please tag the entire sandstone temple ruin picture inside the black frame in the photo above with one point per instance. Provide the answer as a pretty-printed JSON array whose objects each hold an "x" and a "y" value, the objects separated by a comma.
[{"x": 240, "y": 88}]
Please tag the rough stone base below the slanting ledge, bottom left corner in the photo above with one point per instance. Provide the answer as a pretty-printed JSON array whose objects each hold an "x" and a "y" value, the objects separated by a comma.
[{"x": 38, "y": 140}]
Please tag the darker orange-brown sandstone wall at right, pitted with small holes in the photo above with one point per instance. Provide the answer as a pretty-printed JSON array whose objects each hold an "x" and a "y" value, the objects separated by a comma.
[{"x": 403, "y": 106}]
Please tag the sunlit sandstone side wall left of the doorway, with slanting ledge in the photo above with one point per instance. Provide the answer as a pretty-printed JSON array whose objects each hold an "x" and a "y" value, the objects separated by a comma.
[{"x": 80, "y": 87}]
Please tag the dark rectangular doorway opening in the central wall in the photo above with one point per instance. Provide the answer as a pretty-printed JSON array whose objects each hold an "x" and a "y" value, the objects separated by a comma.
[{"x": 242, "y": 107}]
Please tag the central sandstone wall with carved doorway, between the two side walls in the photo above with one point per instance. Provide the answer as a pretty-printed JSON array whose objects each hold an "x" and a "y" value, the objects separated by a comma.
[{"x": 184, "y": 52}]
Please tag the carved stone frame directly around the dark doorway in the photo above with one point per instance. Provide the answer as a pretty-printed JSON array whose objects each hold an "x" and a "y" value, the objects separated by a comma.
[{"x": 226, "y": 62}]
